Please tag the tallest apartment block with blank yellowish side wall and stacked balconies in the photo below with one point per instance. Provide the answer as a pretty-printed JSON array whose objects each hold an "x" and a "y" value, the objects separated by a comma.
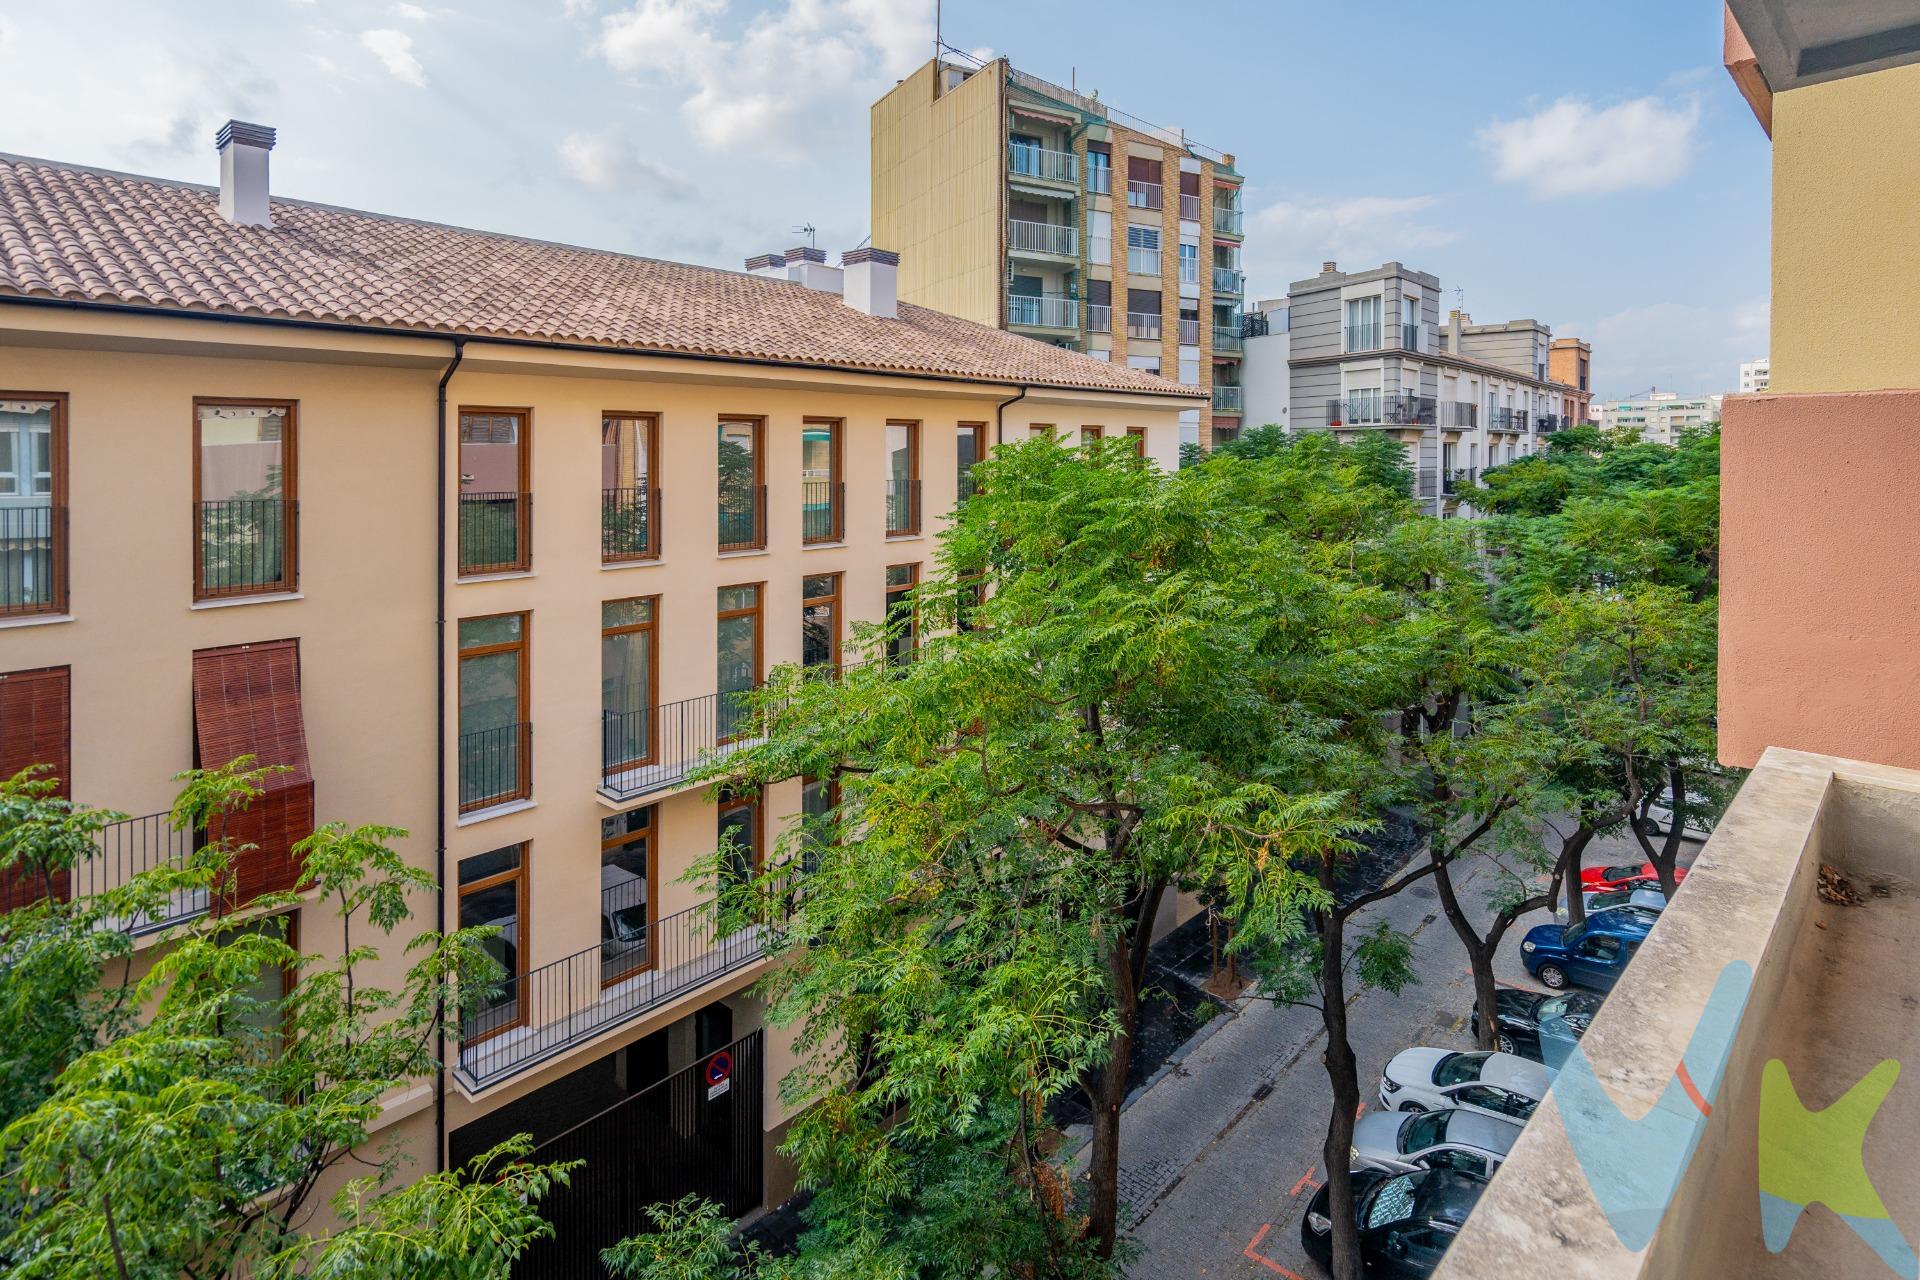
[{"x": 1045, "y": 212}]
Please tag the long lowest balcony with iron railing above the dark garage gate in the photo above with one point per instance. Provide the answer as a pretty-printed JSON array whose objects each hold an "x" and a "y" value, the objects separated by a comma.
[{"x": 544, "y": 1012}]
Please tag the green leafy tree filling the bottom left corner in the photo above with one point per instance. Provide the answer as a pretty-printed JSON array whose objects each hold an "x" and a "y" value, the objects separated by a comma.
[{"x": 187, "y": 1124}]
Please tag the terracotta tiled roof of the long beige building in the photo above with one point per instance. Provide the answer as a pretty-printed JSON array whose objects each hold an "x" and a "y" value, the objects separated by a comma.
[{"x": 114, "y": 239}]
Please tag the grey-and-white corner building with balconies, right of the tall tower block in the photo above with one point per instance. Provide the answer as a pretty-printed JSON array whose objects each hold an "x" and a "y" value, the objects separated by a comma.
[{"x": 1368, "y": 352}]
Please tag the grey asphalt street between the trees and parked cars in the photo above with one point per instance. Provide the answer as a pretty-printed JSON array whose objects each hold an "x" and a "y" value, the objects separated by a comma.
[{"x": 1222, "y": 1154}]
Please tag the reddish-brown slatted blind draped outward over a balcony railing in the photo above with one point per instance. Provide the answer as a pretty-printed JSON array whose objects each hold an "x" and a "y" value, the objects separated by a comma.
[{"x": 247, "y": 703}]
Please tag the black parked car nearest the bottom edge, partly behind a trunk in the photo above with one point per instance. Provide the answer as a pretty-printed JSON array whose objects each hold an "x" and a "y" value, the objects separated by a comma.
[{"x": 1406, "y": 1221}]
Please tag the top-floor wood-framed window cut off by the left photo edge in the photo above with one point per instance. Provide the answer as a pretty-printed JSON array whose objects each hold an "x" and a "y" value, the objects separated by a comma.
[{"x": 34, "y": 504}]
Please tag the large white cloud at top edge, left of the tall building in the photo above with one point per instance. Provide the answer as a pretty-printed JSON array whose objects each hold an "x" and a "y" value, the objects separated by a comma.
[{"x": 763, "y": 85}]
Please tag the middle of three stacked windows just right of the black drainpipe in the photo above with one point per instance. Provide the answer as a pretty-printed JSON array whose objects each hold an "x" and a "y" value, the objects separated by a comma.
[{"x": 496, "y": 742}]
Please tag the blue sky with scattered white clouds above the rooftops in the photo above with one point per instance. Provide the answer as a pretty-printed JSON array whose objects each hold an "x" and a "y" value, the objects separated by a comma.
[{"x": 1587, "y": 166}]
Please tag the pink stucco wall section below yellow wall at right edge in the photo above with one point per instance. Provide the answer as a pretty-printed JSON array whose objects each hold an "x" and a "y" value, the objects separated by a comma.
[{"x": 1821, "y": 577}]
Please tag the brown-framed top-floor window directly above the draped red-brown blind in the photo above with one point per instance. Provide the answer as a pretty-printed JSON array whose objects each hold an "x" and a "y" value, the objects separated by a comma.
[{"x": 245, "y": 534}]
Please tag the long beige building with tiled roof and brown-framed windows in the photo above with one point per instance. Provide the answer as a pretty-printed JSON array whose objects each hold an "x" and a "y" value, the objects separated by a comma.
[{"x": 268, "y": 483}]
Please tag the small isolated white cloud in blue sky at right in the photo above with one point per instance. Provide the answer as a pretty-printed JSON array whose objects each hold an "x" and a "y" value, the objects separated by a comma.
[{"x": 1575, "y": 149}]
